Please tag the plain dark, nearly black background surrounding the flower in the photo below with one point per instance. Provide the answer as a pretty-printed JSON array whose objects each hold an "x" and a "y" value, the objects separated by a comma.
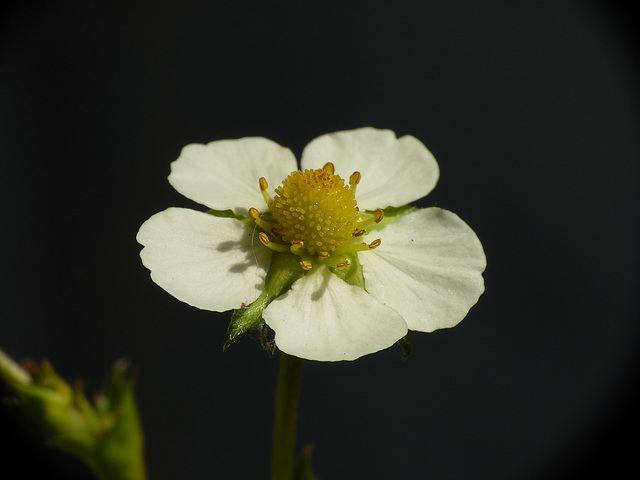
[{"x": 530, "y": 107}]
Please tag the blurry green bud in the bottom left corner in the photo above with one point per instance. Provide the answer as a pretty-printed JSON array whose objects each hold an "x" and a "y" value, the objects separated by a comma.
[{"x": 106, "y": 436}]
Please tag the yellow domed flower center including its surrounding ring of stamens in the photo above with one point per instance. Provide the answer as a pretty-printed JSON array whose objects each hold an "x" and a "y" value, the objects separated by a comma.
[{"x": 315, "y": 215}]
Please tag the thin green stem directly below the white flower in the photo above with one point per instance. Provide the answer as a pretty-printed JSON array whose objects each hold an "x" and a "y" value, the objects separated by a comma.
[{"x": 284, "y": 426}]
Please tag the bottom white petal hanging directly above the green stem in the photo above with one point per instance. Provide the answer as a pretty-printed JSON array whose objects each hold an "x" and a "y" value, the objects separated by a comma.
[{"x": 324, "y": 318}]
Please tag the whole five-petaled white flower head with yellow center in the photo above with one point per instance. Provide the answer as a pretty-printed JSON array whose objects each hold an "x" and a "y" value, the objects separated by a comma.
[{"x": 362, "y": 276}]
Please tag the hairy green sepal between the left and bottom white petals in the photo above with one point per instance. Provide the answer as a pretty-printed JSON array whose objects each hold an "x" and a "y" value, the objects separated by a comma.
[{"x": 283, "y": 271}]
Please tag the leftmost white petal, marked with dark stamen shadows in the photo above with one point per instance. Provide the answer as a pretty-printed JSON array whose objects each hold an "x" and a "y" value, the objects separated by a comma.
[{"x": 205, "y": 261}]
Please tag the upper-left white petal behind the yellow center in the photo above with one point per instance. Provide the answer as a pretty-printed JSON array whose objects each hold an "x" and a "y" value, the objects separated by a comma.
[{"x": 224, "y": 174}]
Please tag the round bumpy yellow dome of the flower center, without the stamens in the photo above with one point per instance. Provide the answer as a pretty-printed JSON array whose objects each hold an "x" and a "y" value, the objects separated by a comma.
[{"x": 315, "y": 207}]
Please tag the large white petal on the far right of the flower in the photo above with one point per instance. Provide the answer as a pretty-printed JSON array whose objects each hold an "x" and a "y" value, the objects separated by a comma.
[{"x": 428, "y": 268}]
